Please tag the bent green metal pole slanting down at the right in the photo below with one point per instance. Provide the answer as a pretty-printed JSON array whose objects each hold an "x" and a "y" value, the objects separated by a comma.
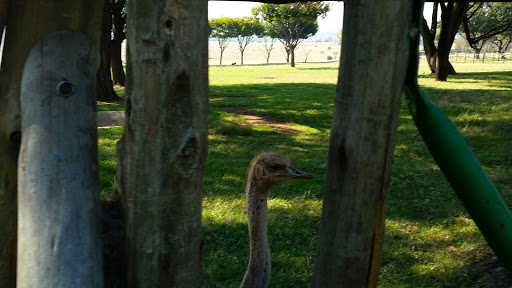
[{"x": 456, "y": 160}]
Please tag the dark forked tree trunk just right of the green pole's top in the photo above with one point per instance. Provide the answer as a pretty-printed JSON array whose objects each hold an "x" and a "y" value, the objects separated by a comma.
[{"x": 452, "y": 14}]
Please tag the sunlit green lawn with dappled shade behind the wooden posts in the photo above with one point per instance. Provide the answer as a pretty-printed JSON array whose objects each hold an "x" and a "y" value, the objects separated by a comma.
[{"x": 430, "y": 239}]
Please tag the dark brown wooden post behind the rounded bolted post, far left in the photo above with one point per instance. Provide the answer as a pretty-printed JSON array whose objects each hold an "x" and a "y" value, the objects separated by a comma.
[{"x": 21, "y": 36}]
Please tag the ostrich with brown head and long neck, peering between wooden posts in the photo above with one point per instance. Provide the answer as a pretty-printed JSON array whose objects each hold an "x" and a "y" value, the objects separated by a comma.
[{"x": 265, "y": 170}]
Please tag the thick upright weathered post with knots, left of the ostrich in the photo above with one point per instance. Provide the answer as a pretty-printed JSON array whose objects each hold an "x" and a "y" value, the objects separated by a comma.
[{"x": 164, "y": 146}]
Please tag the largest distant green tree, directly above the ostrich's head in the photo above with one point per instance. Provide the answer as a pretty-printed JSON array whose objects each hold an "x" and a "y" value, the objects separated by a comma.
[{"x": 291, "y": 23}]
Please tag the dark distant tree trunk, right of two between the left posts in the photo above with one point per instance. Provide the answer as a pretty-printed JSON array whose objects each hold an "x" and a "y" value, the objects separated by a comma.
[{"x": 118, "y": 9}]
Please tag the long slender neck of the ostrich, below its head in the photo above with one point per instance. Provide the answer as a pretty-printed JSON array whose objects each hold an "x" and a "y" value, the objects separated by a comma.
[{"x": 257, "y": 274}]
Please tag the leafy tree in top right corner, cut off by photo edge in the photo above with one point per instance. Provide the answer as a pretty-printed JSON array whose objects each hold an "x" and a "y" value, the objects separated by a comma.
[{"x": 485, "y": 20}]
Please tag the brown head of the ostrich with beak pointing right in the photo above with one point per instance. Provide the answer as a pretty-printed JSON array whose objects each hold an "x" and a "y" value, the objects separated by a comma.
[{"x": 268, "y": 169}]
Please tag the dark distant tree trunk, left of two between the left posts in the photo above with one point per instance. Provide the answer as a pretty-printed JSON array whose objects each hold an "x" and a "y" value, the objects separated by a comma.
[{"x": 104, "y": 85}]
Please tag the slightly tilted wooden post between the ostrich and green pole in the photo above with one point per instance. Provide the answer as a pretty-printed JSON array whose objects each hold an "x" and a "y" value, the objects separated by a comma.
[{"x": 361, "y": 147}]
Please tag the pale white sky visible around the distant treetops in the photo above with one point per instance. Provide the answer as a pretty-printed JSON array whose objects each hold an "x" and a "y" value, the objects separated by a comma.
[{"x": 331, "y": 24}]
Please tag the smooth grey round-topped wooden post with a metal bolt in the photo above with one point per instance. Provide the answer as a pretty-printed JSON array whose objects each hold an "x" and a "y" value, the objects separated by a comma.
[{"x": 58, "y": 208}]
